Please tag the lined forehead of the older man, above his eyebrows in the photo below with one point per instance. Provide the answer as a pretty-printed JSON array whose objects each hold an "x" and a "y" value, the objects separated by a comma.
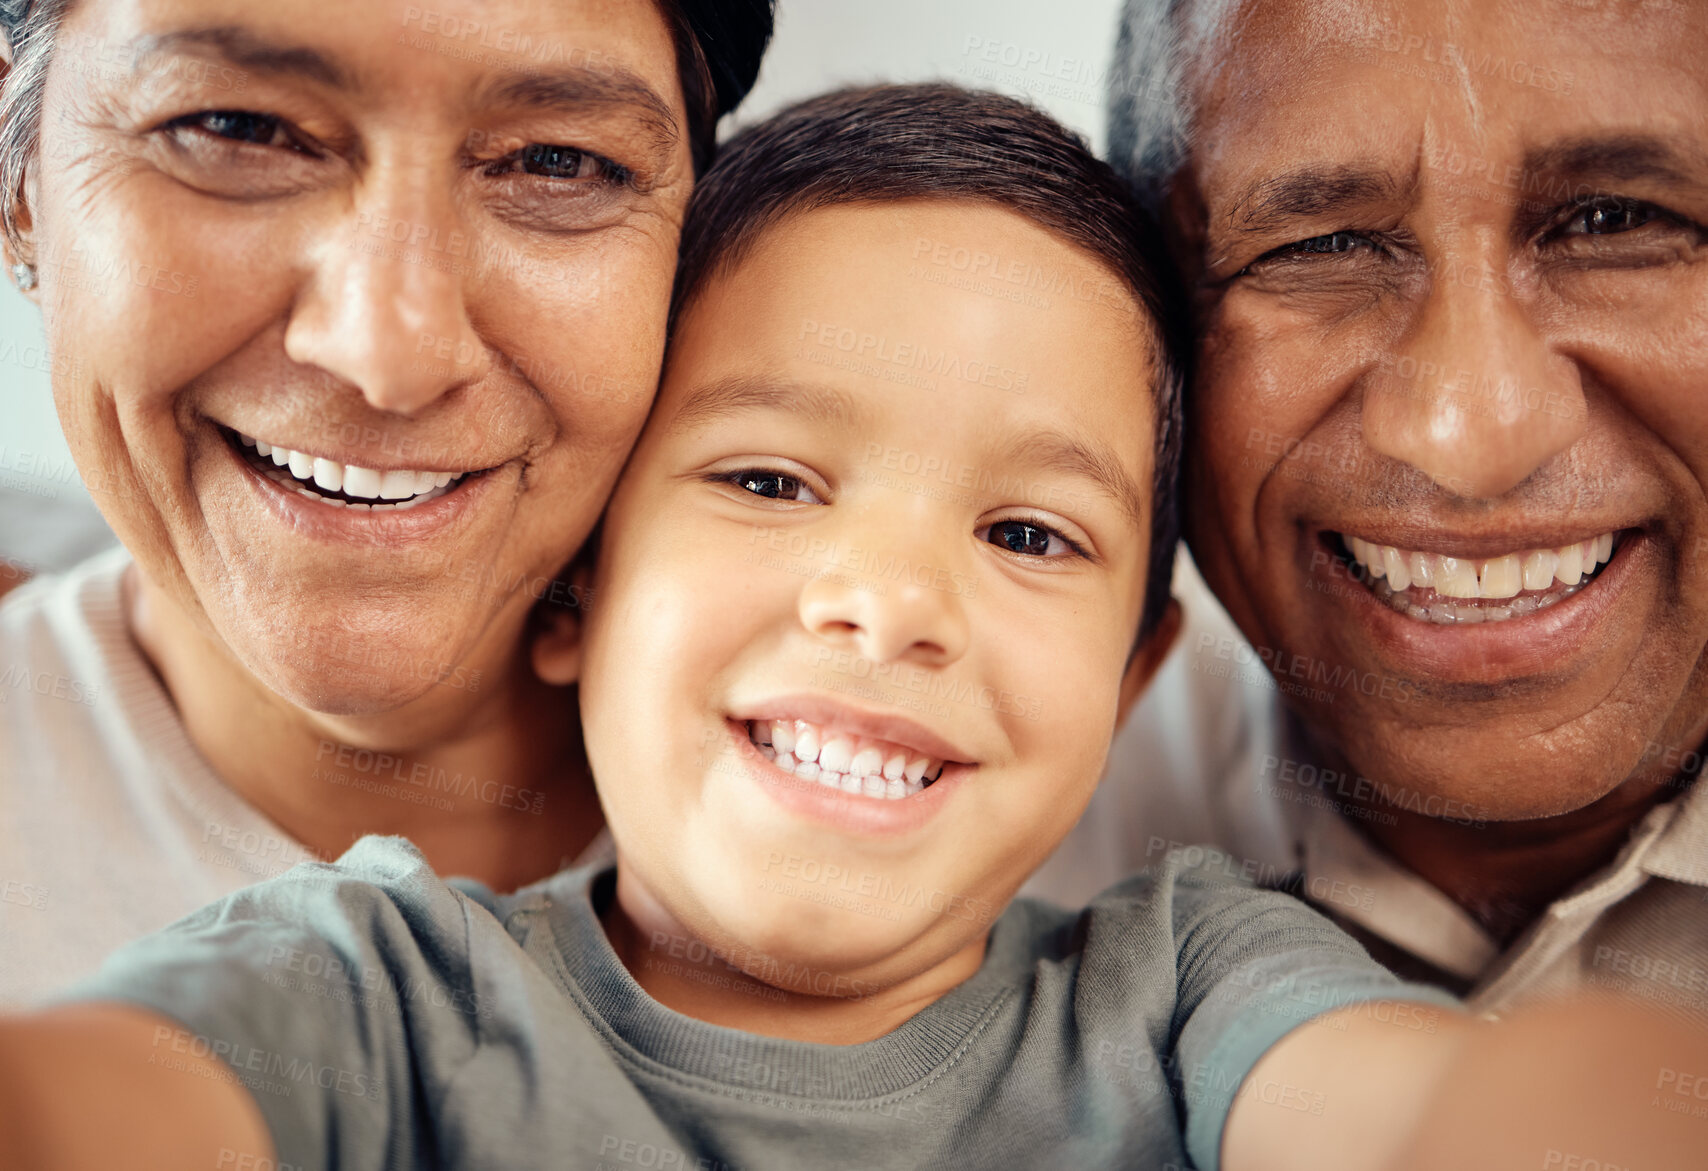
[{"x": 1383, "y": 83}]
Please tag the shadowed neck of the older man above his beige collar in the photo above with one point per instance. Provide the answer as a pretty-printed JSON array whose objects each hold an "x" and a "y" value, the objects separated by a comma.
[{"x": 1507, "y": 873}]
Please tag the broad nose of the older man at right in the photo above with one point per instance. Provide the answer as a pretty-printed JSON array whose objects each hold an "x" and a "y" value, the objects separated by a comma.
[{"x": 1473, "y": 395}]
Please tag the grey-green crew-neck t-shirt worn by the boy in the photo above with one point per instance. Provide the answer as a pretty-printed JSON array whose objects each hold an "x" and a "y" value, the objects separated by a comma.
[{"x": 383, "y": 1018}]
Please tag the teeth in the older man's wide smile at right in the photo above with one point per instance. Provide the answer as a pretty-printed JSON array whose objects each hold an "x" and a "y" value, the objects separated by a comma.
[{"x": 1458, "y": 590}]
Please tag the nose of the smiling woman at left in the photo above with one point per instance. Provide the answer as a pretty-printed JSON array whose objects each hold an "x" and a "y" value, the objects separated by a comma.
[{"x": 383, "y": 306}]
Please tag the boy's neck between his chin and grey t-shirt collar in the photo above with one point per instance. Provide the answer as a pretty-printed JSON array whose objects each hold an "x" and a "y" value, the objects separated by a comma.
[{"x": 677, "y": 970}]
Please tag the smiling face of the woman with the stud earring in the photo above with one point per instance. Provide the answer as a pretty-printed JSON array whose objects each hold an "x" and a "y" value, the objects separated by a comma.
[{"x": 390, "y": 240}]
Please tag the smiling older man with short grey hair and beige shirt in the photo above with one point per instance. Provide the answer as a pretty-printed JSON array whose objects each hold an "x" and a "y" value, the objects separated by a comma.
[{"x": 1449, "y": 469}]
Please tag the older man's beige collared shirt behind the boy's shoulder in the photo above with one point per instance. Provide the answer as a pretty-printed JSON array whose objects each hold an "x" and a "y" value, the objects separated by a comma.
[{"x": 1200, "y": 762}]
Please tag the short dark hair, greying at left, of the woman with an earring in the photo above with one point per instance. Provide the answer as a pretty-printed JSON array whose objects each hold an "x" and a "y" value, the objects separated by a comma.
[{"x": 720, "y": 45}]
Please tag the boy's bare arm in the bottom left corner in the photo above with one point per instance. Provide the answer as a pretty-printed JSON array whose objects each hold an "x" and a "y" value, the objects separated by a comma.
[{"x": 114, "y": 1087}]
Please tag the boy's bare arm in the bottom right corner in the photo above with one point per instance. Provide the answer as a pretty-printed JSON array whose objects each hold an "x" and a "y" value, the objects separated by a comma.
[{"x": 1582, "y": 1085}]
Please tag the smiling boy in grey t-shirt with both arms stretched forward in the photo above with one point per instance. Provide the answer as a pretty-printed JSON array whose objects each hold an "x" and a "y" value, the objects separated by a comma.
[{"x": 838, "y": 714}]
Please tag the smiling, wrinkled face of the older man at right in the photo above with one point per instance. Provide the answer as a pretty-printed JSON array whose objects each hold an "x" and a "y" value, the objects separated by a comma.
[{"x": 1451, "y": 467}]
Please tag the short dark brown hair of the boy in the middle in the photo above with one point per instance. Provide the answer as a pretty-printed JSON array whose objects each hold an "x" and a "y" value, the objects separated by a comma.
[{"x": 906, "y": 143}]
